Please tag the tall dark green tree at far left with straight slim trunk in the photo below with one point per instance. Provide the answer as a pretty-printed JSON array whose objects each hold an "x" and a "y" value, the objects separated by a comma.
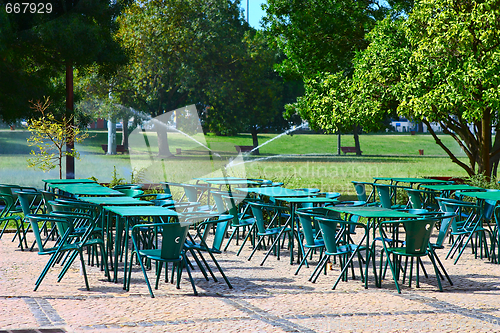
[{"x": 74, "y": 34}]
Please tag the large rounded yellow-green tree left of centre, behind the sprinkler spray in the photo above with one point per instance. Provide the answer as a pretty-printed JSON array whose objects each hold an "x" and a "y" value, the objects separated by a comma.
[{"x": 178, "y": 50}]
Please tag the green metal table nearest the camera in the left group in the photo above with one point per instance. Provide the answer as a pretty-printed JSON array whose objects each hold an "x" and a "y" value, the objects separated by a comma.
[{"x": 124, "y": 216}]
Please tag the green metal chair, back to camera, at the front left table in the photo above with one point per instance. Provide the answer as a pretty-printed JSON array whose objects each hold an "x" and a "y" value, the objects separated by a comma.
[{"x": 172, "y": 237}]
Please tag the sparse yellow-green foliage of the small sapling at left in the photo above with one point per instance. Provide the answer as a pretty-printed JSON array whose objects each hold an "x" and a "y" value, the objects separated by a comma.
[{"x": 49, "y": 135}]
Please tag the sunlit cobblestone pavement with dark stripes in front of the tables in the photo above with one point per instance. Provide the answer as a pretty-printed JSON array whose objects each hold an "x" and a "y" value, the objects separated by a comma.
[{"x": 267, "y": 298}]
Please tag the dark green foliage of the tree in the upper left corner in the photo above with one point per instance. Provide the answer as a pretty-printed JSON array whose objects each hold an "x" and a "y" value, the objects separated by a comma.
[{"x": 37, "y": 49}]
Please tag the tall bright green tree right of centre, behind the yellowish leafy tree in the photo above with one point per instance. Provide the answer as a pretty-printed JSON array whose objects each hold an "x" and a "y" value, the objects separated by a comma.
[{"x": 321, "y": 37}]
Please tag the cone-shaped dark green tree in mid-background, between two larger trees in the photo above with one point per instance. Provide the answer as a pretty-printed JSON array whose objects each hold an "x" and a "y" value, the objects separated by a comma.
[{"x": 252, "y": 97}]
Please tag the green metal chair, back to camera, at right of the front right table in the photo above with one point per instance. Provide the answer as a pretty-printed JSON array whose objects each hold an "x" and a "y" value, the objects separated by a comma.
[{"x": 416, "y": 245}]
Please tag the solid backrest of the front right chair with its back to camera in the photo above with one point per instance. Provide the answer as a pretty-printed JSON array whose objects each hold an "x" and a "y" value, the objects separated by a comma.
[{"x": 417, "y": 235}]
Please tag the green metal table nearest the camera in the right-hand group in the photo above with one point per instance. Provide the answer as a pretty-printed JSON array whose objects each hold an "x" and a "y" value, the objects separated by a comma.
[{"x": 373, "y": 214}]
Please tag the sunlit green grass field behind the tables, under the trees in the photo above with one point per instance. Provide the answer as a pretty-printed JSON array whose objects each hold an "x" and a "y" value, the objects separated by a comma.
[{"x": 313, "y": 164}]
